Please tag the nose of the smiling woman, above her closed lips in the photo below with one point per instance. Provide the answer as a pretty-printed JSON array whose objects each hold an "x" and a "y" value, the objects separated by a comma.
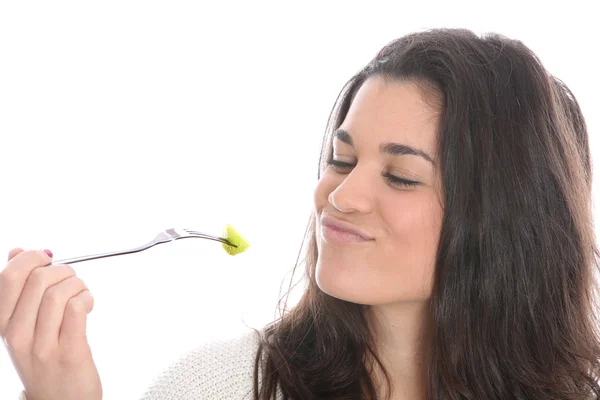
[{"x": 354, "y": 194}]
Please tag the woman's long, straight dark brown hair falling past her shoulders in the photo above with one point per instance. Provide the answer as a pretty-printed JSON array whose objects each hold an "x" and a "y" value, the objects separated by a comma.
[{"x": 514, "y": 289}]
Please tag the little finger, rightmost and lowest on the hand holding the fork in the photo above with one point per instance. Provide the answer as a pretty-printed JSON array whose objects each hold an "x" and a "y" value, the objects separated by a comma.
[{"x": 73, "y": 338}]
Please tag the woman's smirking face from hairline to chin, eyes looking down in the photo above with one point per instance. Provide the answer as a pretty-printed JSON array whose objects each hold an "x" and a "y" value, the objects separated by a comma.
[{"x": 393, "y": 261}]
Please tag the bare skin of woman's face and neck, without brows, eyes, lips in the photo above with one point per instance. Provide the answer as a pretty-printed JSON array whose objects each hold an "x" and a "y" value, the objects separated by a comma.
[{"x": 393, "y": 272}]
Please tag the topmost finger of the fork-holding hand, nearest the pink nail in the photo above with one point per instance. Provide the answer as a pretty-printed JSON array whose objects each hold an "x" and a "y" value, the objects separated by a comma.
[{"x": 13, "y": 279}]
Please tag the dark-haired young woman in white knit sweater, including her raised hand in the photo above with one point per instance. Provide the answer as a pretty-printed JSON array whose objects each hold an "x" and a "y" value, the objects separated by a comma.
[{"x": 450, "y": 255}]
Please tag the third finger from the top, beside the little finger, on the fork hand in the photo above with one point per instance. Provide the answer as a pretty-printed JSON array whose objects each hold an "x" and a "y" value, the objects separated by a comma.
[{"x": 51, "y": 312}]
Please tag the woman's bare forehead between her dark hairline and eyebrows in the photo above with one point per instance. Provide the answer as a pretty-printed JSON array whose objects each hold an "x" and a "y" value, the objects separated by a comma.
[{"x": 386, "y": 110}]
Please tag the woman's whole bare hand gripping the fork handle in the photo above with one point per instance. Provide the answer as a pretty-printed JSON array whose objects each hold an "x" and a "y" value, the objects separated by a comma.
[{"x": 43, "y": 315}]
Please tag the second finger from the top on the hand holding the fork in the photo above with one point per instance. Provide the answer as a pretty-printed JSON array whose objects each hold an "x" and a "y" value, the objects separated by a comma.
[{"x": 22, "y": 324}]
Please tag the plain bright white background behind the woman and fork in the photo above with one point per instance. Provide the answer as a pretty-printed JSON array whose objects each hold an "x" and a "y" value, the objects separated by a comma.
[{"x": 122, "y": 118}]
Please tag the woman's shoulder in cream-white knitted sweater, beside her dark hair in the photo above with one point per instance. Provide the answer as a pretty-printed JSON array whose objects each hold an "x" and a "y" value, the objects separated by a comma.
[{"x": 222, "y": 369}]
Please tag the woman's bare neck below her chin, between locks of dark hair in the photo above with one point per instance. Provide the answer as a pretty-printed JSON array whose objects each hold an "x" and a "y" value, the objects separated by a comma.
[{"x": 400, "y": 343}]
